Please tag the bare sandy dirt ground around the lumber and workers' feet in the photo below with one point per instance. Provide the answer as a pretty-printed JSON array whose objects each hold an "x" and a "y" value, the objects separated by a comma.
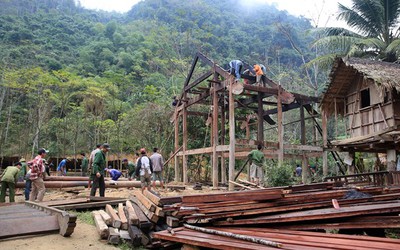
[{"x": 84, "y": 236}]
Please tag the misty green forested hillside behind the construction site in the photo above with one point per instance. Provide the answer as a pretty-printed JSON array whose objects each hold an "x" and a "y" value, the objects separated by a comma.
[{"x": 71, "y": 77}]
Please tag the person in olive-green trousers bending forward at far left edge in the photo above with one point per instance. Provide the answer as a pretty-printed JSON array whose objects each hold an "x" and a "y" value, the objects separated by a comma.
[{"x": 8, "y": 180}]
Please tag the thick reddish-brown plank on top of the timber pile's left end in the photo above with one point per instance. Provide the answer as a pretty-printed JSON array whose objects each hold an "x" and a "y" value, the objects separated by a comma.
[{"x": 229, "y": 196}]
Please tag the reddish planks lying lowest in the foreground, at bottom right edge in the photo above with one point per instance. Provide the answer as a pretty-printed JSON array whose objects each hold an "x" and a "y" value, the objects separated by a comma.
[{"x": 284, "y": 239}]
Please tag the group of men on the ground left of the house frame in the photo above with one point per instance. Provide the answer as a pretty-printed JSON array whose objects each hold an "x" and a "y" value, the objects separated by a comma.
[{"x": 146, "y": 168}]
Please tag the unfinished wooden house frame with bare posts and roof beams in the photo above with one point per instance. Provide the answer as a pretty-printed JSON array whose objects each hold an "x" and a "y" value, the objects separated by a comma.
[{"x": 218, "y": 90}]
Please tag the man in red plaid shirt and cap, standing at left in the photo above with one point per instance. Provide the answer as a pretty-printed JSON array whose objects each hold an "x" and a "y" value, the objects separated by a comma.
[{"x": 37, "y": 170}]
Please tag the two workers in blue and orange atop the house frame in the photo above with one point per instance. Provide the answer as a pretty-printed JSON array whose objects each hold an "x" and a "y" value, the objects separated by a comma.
[{"x": 259, "y": 70}]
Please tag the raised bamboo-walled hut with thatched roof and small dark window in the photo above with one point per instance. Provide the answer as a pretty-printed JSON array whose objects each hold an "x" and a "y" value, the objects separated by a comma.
[{"x": 366, "y": 94}]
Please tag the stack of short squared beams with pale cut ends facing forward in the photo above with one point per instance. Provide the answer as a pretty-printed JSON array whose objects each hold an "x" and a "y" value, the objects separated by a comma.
[{"x": 134, "y": 220}]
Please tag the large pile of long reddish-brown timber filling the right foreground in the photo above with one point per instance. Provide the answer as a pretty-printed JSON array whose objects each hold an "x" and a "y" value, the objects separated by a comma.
[{"x": 304, "y": 207}]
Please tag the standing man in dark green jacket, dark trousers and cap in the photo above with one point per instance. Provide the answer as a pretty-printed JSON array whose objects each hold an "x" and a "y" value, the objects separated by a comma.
[{"x": 99, "y": 164}]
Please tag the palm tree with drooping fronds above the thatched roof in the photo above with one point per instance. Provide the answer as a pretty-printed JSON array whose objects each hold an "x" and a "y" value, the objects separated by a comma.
[{"x": 376, "y": 36}]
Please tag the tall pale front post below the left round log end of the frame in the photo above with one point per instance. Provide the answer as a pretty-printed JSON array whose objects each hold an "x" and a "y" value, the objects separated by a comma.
[{"x": 231, "y": 136}]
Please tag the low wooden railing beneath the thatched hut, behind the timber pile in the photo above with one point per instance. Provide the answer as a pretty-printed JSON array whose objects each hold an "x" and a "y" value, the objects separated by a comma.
[{"x": 382, "y": 178}]
